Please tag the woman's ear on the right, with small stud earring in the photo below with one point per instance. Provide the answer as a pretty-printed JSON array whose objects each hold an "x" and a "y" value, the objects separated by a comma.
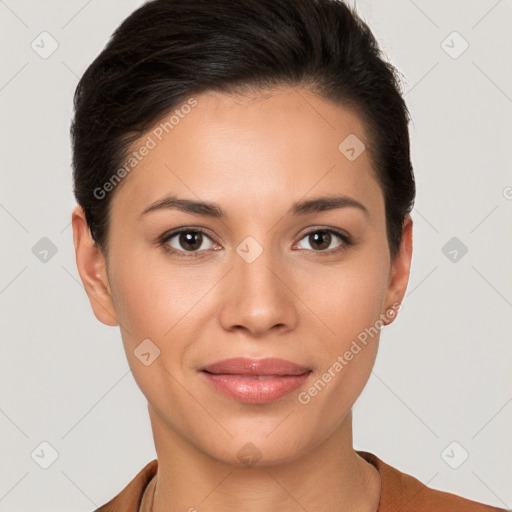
[{"x": 399, "y": 273}]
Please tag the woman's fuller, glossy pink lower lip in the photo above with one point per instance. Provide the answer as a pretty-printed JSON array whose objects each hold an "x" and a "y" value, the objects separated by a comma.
[{"x": 254, "y": 390}]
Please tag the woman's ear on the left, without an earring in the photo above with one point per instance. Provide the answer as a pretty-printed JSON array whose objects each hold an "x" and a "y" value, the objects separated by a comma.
[{"x": 92, "y": 269}]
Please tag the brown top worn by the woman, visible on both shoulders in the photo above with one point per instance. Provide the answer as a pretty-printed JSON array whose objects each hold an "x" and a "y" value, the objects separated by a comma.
[{"x": 399, "y": 493}]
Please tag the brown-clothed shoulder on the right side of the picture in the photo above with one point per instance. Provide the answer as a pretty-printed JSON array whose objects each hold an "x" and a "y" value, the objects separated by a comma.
[{"x": 401, "y": 491}]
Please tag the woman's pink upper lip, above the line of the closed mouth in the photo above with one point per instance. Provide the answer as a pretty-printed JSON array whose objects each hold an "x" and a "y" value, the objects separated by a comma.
[{"x": 246, "y": 366}]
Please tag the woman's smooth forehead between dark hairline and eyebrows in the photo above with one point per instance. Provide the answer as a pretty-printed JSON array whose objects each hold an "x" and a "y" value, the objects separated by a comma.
[{"x": 254, "y": 151}]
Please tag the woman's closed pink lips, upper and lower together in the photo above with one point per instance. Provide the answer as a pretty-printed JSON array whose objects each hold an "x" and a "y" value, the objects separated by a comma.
[{"x": 238, "y": 378}]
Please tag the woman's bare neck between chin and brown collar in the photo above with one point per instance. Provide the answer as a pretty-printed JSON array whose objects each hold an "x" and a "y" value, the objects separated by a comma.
[{"x": 330, "y": 476}]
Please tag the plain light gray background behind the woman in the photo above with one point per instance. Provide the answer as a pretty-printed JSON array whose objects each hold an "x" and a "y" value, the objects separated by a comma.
[{"x": 443, "y": 369}]
